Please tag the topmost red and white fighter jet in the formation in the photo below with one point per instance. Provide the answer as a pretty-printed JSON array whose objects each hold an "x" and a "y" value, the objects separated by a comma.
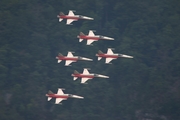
[{"x": 71, "y": 17}]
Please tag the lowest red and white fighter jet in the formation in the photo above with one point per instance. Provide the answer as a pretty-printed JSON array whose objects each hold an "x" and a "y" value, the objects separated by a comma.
[{"x": 61, "y": 96}]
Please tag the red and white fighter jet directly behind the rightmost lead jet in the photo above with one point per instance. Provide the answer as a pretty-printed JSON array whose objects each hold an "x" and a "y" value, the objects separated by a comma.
[{"x": 70, "y": 58}]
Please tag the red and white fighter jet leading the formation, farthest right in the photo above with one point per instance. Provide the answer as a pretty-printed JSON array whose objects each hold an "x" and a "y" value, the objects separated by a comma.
[{"x": 110, "y": 55}]
